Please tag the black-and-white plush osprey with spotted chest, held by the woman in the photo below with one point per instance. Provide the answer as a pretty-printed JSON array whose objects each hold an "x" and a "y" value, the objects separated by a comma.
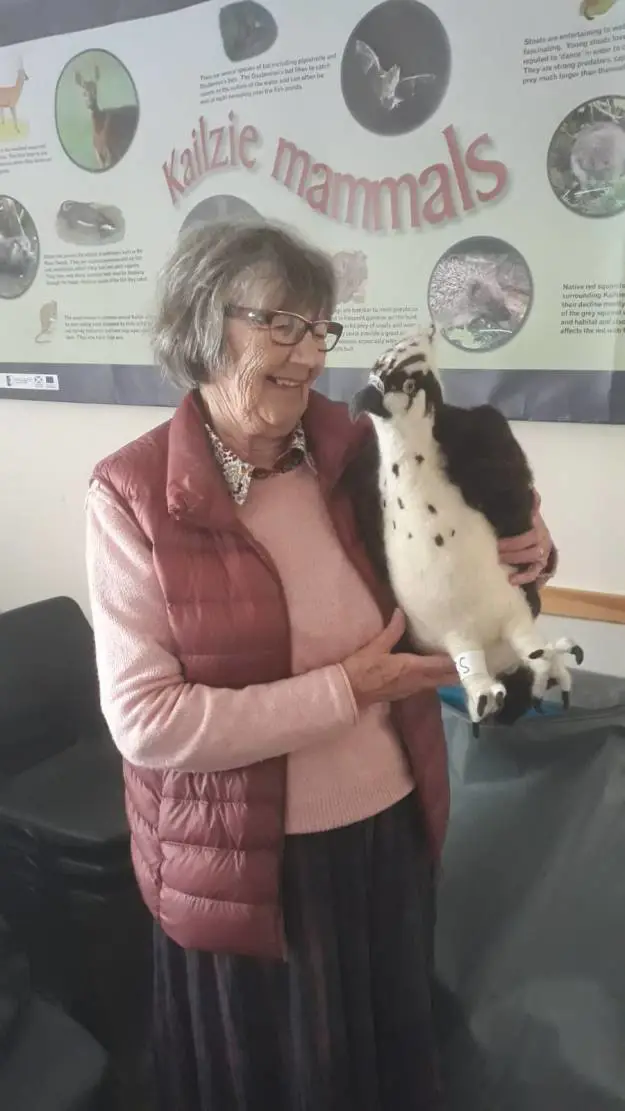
[{"x": 435, "y": 491}]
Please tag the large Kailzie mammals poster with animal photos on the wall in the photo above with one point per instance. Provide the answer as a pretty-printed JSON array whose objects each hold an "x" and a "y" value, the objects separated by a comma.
[{"x": 461, "y": 162}]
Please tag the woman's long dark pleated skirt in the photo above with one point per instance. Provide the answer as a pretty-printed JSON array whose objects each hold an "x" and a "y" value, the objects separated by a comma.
[{"x": 347, "y": 1024}]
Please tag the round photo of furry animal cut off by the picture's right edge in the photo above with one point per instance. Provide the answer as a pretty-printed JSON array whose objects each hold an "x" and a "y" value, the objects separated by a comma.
[{"x": 587, "y": 158}]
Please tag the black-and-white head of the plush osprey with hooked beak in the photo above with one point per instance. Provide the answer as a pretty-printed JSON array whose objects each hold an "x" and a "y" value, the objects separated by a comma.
[{"x": 405, "y": 383}]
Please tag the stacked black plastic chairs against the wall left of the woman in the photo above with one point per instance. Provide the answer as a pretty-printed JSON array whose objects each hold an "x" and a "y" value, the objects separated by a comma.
[{"x": 66, "y": 879}]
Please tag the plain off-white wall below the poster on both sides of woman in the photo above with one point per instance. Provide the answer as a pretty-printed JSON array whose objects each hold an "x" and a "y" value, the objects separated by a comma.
[{"x": 47, "y": 452}]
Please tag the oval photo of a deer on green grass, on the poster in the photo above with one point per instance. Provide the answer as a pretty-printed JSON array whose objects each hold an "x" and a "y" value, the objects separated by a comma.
[{"x": 97, "y": 111}]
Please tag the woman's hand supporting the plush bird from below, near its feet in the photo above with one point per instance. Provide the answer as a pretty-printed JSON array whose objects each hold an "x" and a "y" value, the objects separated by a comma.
[{"x": 376, "y": 675}]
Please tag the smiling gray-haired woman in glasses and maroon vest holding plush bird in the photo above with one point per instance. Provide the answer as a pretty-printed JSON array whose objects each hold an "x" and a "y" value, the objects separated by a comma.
[{"x": 286, "y": 772}]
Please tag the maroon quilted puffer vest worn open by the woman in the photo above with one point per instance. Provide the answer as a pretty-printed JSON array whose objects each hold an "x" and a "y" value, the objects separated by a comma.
[{"x": 208, "y": 848}]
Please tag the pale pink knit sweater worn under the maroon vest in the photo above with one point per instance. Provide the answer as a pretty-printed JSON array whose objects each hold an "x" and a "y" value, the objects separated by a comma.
[{"x": 342, "y": 767}]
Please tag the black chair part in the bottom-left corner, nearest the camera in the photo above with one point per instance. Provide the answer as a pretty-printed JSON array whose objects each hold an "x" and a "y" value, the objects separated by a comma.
[{"x": 47, "y": 1062}]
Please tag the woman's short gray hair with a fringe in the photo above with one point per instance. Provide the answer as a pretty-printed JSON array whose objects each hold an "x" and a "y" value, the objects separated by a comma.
[{"x": 255, "y": 266}]
